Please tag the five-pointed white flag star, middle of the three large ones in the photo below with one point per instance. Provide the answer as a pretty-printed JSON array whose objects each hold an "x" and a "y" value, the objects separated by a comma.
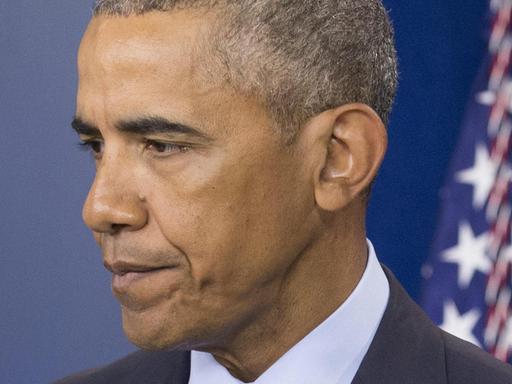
[{"x": 469, "y": 254}]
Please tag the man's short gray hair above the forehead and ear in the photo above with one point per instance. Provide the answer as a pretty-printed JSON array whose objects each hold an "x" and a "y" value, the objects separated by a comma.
[{"x": 298, "y": 57}]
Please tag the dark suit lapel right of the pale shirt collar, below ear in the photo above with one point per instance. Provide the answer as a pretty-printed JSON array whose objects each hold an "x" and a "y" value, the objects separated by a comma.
[{"x": 407, "y": 348}]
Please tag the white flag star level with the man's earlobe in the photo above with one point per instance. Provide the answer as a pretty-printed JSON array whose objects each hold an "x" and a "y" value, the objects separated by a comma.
[{"x": 481, "y": 176}]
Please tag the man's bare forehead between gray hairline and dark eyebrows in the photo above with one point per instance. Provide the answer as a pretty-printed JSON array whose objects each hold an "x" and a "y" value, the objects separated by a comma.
[{"x": 148, "y": 64}]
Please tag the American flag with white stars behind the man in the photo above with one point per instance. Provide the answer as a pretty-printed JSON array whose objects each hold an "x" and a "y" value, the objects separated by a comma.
[{"x": 468, "y": 280}]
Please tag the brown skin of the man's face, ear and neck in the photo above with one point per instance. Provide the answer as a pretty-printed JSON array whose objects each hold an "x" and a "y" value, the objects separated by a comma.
[{"x": 265, "y": 239}]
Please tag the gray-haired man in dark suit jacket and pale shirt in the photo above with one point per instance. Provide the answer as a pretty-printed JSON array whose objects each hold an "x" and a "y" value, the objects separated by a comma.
[{"x": 235, "y": 146}]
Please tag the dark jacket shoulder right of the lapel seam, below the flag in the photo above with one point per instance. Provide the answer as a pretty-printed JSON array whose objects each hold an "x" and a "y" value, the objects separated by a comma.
[{"x": 466, "y": 364}]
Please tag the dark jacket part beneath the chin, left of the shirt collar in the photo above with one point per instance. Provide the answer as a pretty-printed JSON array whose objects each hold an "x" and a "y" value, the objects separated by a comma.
[{"x": 138, "y": 367}]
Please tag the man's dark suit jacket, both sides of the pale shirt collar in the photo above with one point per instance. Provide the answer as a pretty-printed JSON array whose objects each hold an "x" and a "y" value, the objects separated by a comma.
[{"x": 407, "y": 349}]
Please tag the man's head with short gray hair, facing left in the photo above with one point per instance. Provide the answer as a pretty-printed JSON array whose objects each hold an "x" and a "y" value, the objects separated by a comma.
[{"x": 233, "y": 144}]
